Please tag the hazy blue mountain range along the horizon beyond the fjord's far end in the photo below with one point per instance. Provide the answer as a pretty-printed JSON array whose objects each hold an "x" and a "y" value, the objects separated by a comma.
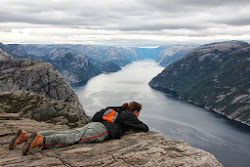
[{"x": 119, "y": 55}]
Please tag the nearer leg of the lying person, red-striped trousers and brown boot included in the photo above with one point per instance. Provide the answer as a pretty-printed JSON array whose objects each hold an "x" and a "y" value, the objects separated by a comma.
[{"x": 92, "y": 132}]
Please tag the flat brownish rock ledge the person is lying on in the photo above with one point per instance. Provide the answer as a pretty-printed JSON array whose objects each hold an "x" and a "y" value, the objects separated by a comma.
[{"x": 136, "y": 149}]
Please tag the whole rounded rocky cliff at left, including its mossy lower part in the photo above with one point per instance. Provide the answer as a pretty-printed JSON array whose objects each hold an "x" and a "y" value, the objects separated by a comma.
[{"x": 53, "y": 96}]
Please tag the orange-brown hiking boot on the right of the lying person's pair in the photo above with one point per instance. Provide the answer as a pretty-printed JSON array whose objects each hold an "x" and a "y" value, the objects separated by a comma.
[{"x": 35, "y": 140}]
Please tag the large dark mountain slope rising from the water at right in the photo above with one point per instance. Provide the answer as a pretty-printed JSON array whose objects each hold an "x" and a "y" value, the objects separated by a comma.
[{"x": 216, "y": 76}]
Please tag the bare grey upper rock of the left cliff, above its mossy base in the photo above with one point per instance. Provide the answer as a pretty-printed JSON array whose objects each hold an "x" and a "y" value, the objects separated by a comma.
[{"x": 36, "y": 76}]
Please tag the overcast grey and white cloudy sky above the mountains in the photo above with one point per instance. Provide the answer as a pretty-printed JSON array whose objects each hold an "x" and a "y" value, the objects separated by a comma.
[{"x": 142, "y": 23}]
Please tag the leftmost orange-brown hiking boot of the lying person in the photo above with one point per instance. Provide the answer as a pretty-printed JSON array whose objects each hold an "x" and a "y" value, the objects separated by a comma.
[{"x": 21, "y": 137}]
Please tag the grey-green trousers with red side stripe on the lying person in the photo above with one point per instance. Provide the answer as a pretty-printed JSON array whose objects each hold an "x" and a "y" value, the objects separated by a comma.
[{"x": 93, "y": 132}]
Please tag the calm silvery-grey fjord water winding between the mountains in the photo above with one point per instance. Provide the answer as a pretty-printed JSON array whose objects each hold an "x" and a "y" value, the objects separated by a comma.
[{"x": 228, "y": 140}]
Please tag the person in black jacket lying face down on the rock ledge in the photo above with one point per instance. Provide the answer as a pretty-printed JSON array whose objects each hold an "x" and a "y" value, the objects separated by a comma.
[{"x": 108, "y": 123}]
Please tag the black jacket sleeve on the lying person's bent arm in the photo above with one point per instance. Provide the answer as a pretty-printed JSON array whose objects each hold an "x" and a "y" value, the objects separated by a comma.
[{"x": 133, "y": 123}]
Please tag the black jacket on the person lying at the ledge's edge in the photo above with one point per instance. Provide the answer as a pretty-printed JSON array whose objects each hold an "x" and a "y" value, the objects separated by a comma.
[{"x": 125, "y": 121}]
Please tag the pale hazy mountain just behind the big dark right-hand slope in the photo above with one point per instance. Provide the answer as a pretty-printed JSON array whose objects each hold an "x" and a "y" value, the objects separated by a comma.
[{"x": 170, "y": 54}]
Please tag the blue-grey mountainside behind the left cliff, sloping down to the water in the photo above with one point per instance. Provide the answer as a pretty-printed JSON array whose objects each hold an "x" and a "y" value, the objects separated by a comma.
[{"x": 73, "y": 65}]
